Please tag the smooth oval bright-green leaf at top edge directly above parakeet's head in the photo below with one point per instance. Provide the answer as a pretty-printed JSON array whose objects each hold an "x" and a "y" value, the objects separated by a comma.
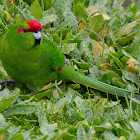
[{"x": 36, "y": 10}]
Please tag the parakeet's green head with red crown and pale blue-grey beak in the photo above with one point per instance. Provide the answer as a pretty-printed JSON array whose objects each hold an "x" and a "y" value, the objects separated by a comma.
[{"x": 25, "y": 34}]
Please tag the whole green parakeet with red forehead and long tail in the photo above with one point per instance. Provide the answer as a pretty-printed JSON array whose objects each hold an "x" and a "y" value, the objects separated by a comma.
[{"x": 33, "y": 60}]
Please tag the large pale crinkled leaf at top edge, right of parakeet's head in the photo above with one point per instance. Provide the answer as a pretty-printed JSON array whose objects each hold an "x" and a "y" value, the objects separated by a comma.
[{"x": 66, "y": 19}]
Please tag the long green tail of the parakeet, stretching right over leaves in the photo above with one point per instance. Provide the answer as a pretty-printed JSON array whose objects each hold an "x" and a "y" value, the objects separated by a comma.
[{"x": 68, "y": 74}]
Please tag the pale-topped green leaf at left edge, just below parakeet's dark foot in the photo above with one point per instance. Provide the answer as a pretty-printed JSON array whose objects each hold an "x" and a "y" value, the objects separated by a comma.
[{"x": 8, "y": 99}]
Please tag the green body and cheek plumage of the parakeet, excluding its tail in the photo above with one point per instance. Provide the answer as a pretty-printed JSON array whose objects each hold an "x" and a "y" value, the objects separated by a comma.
[{"x": 32, "y": 66}]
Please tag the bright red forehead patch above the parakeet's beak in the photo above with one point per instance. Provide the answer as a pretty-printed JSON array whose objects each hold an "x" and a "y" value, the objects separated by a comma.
[{"x": 34, "y": 25}]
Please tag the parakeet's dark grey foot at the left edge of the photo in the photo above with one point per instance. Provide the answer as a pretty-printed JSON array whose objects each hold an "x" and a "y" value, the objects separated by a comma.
[{"x": 7, "y": 83}]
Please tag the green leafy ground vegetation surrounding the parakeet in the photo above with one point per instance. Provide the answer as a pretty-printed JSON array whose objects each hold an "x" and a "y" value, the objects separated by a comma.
[{"x": 103, "y": 38}]
